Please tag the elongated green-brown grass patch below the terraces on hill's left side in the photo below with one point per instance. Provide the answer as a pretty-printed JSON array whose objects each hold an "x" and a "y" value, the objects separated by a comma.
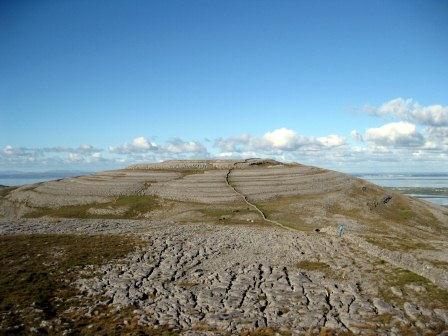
[{"x": 134, "y": 207}]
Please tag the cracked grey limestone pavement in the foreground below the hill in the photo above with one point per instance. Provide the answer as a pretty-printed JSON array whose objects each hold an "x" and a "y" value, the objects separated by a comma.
[{"x": 240, "y": 278}]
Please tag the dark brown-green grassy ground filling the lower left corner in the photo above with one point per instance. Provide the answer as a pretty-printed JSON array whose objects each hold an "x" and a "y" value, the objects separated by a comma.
[{"x": 37, "y": 273}]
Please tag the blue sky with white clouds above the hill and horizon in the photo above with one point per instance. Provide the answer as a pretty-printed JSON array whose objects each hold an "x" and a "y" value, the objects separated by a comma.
[{"x": 101, "y": 84}]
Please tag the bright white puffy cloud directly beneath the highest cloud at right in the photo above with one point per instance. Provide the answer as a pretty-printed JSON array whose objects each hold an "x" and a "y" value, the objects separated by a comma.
[{"x": 398, "y": 134}]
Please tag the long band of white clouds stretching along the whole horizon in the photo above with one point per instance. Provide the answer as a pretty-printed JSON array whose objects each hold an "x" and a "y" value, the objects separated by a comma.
[{"x": 409, "y": 133}]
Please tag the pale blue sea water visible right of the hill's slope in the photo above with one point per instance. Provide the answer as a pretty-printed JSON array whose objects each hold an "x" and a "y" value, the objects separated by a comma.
[{"x": 436, "y": 182}]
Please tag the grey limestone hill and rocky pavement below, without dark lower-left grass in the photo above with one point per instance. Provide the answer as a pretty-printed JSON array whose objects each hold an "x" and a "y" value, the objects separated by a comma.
[{"x": 249, "y": 245}]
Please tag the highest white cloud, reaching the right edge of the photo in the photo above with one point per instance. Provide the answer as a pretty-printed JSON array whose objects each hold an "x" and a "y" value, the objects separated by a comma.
[{"x": 410, "y": 110}]
